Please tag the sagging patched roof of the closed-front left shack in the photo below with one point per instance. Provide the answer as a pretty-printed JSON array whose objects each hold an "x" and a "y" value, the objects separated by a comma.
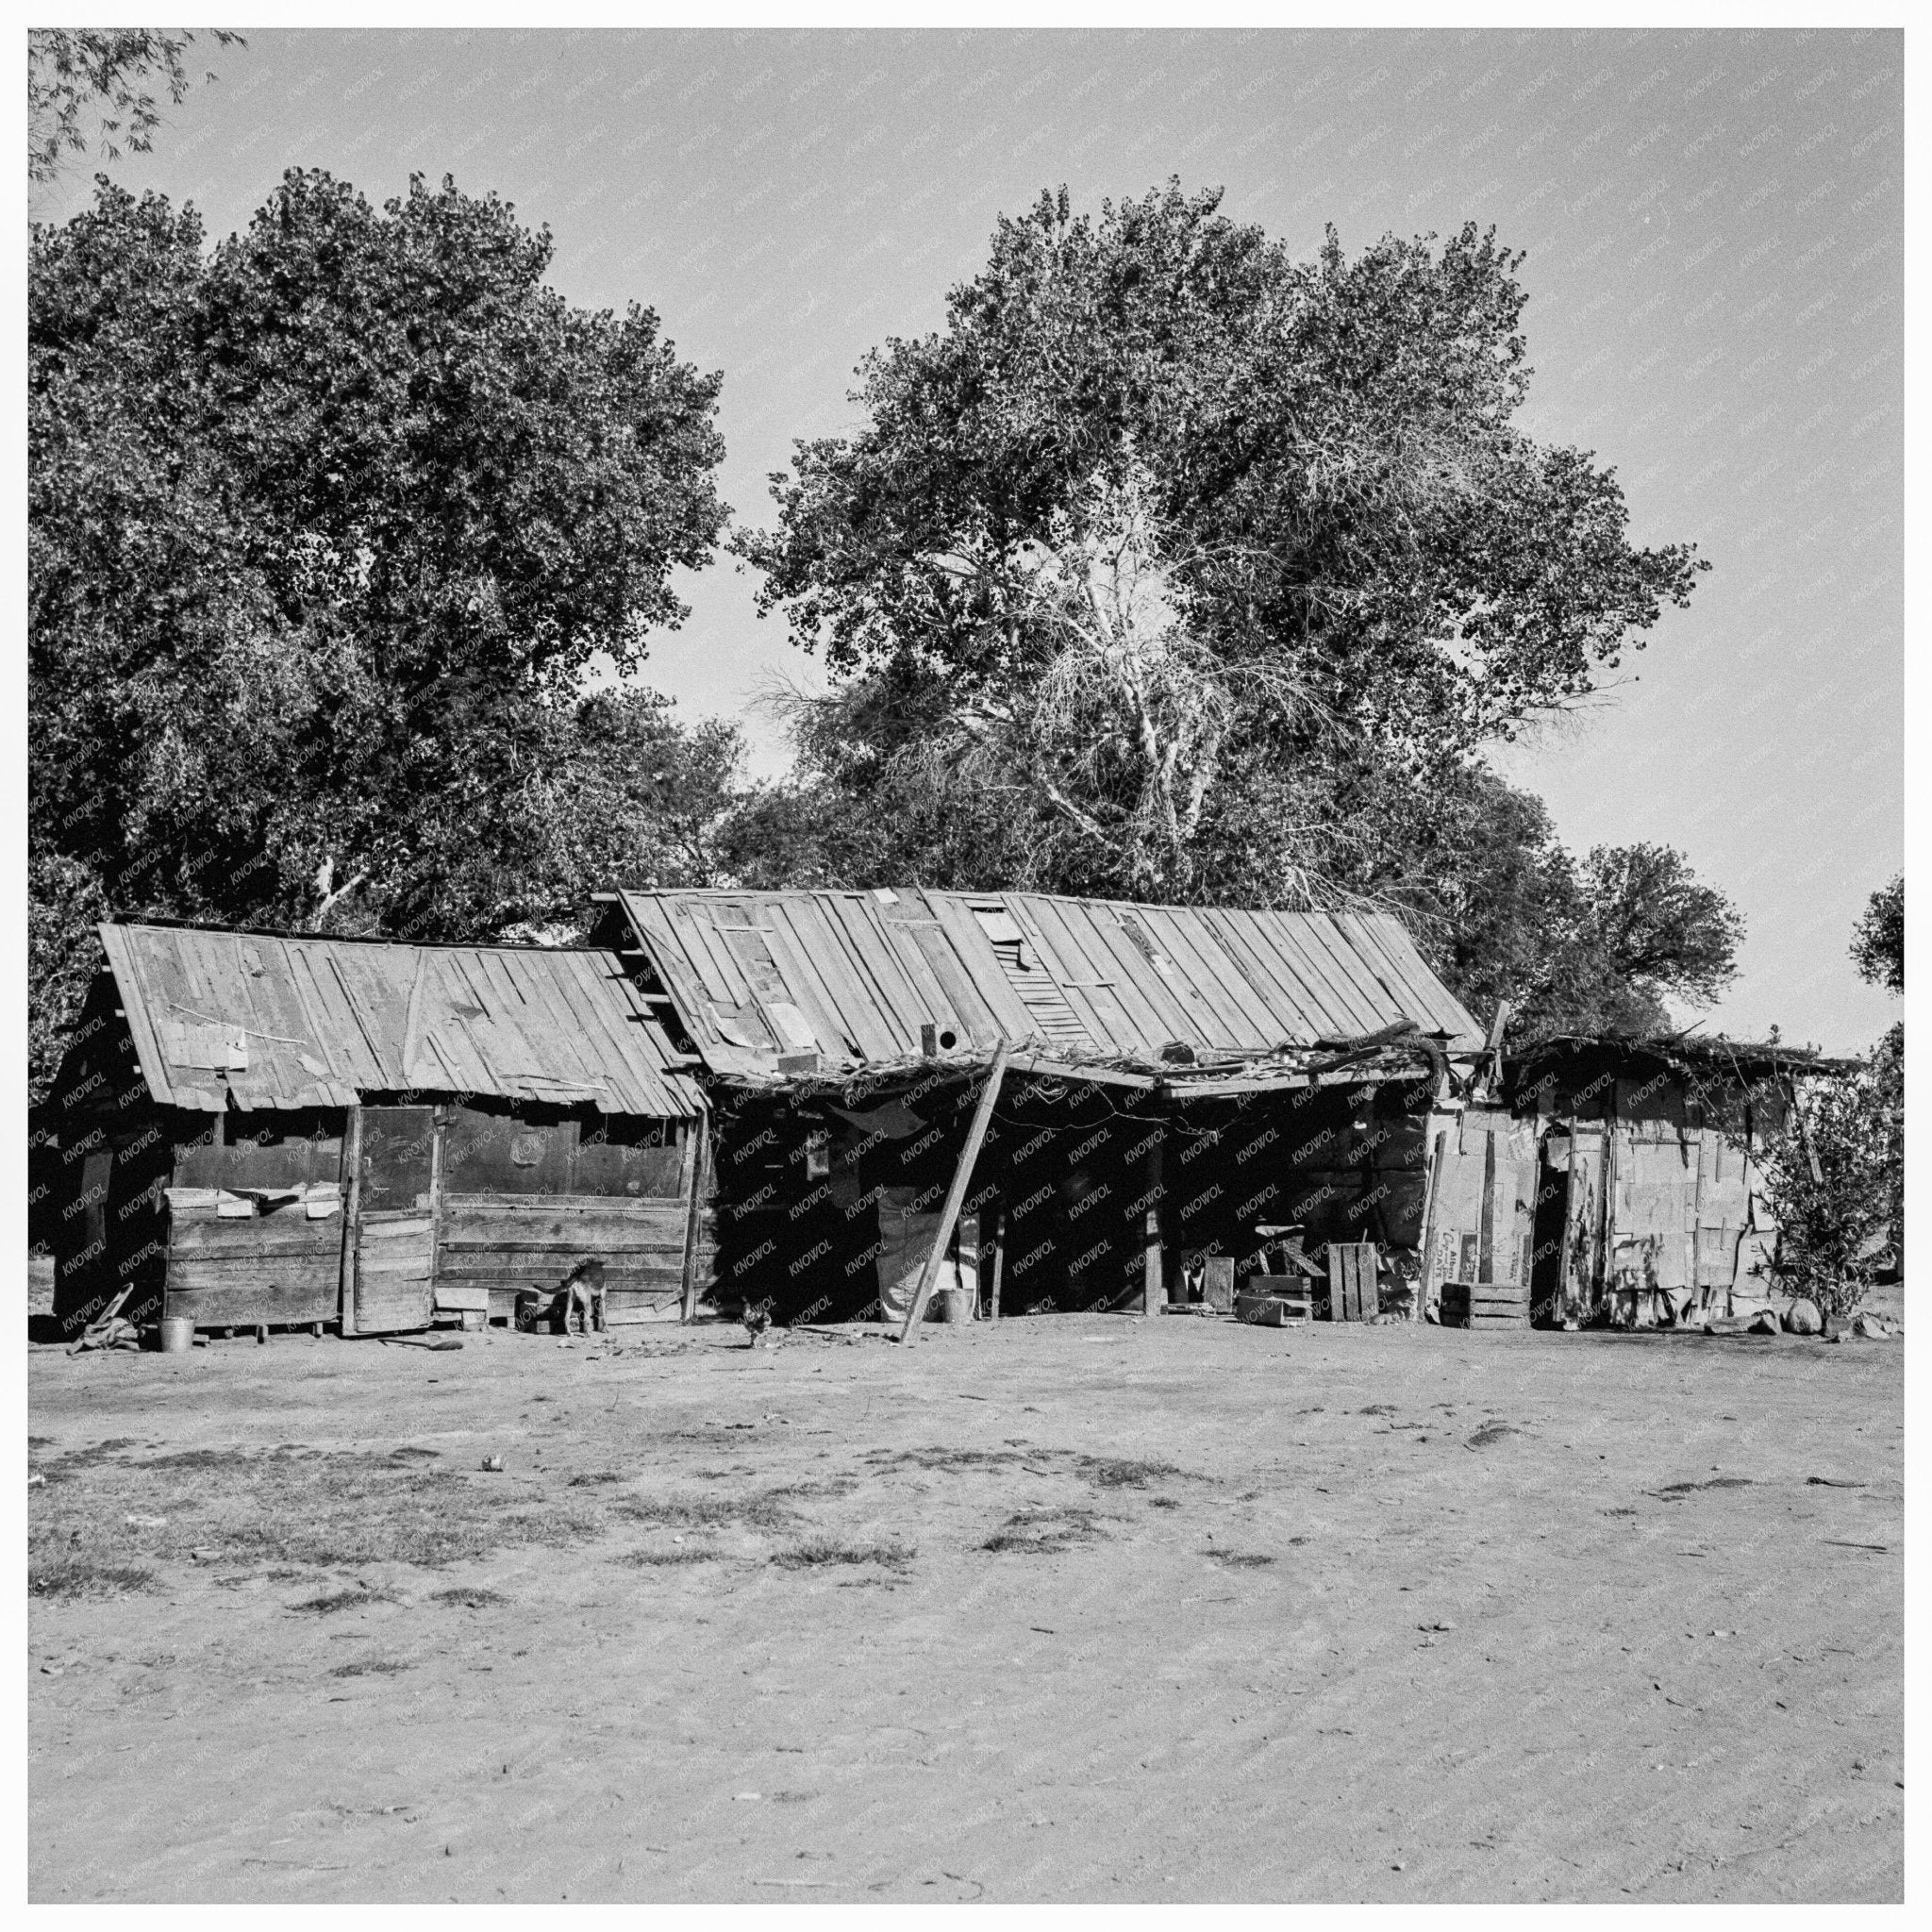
[{"x": 285, "y": 1021}]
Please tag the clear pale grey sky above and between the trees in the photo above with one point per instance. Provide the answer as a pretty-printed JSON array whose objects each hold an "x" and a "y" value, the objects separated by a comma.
[{"x": 1715, "y": 233}]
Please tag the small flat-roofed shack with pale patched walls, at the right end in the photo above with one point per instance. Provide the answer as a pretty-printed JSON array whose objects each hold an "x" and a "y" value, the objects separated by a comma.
[{"x": 1637, "y": 1164}]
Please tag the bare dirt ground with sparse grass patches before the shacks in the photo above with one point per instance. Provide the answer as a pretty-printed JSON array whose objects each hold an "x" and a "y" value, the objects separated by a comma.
[{"x": 1065, "y": 1608}]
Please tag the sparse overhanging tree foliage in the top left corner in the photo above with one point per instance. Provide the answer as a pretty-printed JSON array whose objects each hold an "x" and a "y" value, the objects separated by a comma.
[{"x": 109, "y": 72}]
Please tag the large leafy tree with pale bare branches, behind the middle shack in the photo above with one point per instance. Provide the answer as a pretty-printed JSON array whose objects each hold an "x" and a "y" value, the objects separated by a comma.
[{"x": 1178, "y": 567}]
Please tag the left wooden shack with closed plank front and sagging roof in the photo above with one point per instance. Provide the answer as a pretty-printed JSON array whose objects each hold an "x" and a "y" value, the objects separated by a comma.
[{"x": 273, "y": 1131}]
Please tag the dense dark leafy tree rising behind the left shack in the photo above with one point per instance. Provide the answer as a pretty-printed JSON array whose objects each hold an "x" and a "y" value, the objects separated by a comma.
[{"x": 326, "y": 530}]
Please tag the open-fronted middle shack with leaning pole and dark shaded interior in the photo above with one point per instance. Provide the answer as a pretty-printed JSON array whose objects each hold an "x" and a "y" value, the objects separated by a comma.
[{"x": 1178, "y": 1081}]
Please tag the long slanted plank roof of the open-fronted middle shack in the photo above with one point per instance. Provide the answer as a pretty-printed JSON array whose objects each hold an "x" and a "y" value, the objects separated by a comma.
[{"x": 859, "y": 975}]
